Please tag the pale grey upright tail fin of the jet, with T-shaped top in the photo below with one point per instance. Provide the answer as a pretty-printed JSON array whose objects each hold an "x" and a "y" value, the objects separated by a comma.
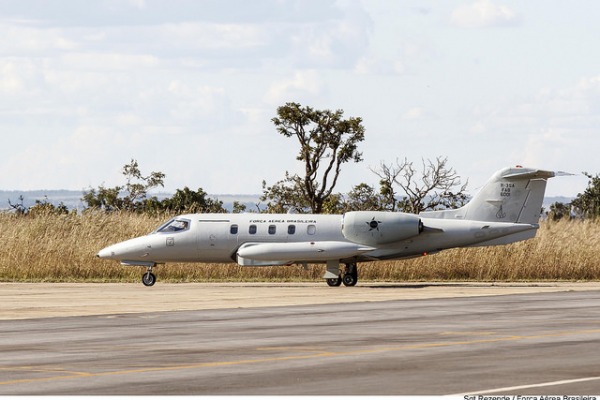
[{"x": 512, "y": 195}]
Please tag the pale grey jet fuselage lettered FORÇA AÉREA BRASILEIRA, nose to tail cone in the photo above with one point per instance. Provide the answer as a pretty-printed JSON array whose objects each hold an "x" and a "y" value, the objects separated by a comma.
[{"x": 296, "y": 238}]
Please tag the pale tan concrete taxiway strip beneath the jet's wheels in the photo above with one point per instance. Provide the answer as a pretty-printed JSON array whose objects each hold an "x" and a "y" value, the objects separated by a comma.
[{"x": 40, "y": 300}]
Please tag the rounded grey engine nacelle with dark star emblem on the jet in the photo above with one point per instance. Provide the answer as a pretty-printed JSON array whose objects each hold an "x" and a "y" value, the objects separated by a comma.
[{"x": 374, "y": 228}]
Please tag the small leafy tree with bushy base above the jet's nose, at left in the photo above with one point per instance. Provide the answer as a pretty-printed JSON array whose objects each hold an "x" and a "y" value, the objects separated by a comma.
[{"x": 129, "y": 197}]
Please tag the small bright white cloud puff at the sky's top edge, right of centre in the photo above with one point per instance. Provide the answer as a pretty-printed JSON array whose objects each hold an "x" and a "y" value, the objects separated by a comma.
[{"x": 483, "y": 14}]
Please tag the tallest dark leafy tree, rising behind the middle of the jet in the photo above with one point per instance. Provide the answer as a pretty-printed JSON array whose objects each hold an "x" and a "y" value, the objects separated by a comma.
[{"x": 327, "y": 141}]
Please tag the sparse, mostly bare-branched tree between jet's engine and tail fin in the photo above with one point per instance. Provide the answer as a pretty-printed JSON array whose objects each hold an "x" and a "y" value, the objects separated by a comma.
[{"x": 436, "y": 186}]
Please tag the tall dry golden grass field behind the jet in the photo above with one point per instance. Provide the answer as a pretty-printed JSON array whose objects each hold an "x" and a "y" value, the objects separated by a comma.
[{"x": 51, "y": 248}]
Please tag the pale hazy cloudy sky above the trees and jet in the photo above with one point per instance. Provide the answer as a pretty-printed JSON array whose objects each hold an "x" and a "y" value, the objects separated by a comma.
[{"x": 189, "y": 88}]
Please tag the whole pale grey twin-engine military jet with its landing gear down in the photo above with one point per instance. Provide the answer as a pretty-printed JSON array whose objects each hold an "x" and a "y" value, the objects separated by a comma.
[{"x": 507, "y": 209}]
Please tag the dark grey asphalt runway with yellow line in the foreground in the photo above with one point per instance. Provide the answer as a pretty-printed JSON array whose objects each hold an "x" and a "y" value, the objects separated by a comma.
[{"x": 523, "y": 343}]
